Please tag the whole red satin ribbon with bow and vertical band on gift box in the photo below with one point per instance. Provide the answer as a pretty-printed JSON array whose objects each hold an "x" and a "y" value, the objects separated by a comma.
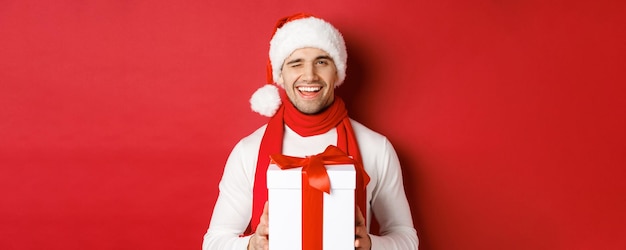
[{"x": 315, "y": 182}]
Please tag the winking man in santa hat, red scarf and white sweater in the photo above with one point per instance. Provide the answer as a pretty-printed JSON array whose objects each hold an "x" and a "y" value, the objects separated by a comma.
[{"x": 308, "y": 61}]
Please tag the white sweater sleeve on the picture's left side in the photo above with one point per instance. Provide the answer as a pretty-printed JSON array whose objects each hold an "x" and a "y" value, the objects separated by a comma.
[{"x": 232, "y": 211}]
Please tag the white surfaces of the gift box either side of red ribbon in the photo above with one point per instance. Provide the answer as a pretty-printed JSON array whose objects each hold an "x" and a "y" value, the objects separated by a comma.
[{"x": 285, "y": 208}]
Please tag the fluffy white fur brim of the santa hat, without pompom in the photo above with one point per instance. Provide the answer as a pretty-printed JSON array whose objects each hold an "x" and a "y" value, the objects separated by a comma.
[{"x": 308, "y": 32}]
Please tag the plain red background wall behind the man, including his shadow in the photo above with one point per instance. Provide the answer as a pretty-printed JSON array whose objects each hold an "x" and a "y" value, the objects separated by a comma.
[{"x": 509, "y": 117}]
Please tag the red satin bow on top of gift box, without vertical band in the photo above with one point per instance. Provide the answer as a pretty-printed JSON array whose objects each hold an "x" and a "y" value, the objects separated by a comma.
[{"x": 313, "y": 165}]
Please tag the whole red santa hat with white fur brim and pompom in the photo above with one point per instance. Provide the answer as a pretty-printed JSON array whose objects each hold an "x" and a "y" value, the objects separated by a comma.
[{"x": 292, "y": 33}]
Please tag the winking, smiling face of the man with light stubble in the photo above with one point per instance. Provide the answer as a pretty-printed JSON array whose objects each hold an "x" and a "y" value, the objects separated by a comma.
[{"x": 309, "y": 76}]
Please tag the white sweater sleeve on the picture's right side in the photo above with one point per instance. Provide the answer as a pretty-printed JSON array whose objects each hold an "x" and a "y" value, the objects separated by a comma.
[{"x": 391, "y": 207}]
